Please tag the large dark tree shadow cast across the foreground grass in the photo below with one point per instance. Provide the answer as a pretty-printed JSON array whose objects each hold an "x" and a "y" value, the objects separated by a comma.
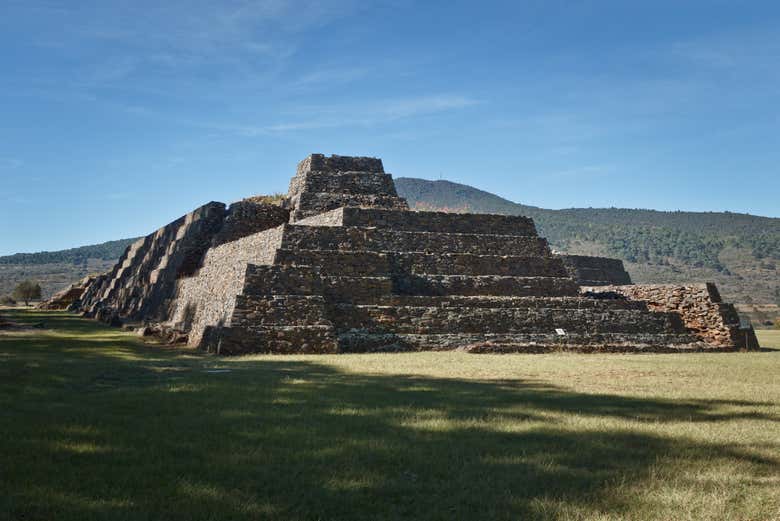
[{"x": 96, "y": 434}]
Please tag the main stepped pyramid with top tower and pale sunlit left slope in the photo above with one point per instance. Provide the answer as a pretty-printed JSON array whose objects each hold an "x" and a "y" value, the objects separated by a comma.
[{"x": 354, "y": 270}]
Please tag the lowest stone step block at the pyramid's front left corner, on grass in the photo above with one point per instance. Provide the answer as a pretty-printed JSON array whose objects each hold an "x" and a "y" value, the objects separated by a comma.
[{"x": 317, "y": 339}]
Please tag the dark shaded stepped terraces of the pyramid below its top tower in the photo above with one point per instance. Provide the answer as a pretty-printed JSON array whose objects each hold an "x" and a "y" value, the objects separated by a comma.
[{"x": 356, "y": 280}]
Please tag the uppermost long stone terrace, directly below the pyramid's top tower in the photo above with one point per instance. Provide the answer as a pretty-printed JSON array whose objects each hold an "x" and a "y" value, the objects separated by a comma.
[{"x": 444, "y": 222}]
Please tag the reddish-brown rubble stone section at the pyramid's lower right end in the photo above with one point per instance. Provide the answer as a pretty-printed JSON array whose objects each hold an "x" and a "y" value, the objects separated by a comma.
[{"x": 700, "y": 307}]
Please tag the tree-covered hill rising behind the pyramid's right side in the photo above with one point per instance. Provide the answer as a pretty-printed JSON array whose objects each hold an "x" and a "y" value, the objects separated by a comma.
[{"x": 739, "y": 251}]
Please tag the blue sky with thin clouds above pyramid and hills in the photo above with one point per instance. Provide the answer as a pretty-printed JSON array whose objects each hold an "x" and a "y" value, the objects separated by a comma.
[{"x": 117, "y": 117}]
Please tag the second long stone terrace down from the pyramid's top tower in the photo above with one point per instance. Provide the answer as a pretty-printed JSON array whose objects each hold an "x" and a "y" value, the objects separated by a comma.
[{"x": 385, "y": 240}]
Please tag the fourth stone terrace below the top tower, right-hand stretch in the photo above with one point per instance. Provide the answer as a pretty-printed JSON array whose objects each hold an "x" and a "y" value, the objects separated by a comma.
[{"x": 495, "y": 285}]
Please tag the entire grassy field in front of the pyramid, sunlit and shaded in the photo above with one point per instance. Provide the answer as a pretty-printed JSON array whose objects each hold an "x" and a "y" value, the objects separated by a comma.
[{"x": 97, "y": 425}]
